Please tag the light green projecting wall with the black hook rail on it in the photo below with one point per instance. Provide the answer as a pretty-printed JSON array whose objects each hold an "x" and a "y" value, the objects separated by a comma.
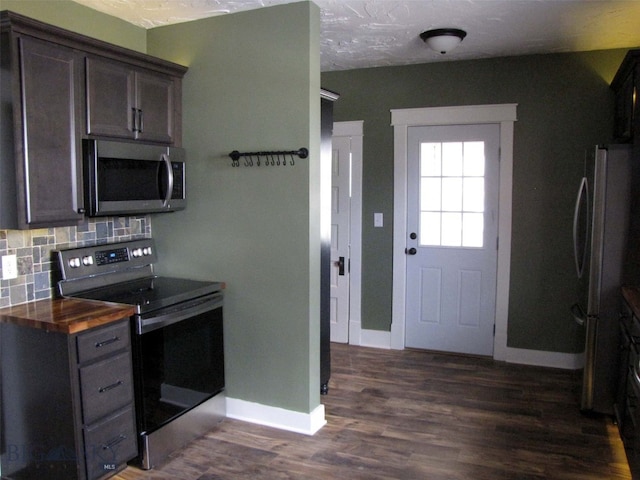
[{"x": 253, "y": 84}]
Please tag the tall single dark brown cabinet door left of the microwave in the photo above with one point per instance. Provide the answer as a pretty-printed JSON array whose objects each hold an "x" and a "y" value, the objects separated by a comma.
[{"x": 50, "y": 192}]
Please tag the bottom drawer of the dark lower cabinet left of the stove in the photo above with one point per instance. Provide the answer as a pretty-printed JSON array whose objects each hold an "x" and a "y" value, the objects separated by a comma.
[{"x": 110, "y": 444}]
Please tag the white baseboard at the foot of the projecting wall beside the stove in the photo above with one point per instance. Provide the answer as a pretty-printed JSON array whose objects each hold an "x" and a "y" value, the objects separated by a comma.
[{"x": 306, "y": 423}]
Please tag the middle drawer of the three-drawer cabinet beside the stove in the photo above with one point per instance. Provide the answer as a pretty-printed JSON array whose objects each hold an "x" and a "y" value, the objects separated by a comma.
[{"x": 106, "y": 386}]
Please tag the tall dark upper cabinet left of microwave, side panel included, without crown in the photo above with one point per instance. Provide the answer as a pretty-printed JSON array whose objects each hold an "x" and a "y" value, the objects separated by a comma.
[{"x": 40, "y": 183}]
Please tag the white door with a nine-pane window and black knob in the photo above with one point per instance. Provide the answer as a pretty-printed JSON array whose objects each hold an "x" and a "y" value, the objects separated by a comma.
[{"x": 452, "y": 220}]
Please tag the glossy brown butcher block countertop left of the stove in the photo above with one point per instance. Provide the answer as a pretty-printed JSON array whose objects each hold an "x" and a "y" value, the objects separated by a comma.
[{"x": 65, "y": 315}]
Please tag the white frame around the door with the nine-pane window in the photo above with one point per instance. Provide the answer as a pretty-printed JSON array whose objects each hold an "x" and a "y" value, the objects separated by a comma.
[{"x": 401, "y": 120}]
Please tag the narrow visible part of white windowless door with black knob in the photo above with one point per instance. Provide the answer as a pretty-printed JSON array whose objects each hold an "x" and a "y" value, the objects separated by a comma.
[{"x": 340, "y": 238}]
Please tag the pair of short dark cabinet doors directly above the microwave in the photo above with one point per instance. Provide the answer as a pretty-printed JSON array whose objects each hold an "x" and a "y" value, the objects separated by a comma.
[{"x": 126, "y": 102}]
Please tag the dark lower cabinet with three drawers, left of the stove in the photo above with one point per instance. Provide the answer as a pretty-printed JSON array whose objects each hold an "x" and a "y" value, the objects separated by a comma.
[{"x": 67, "y": 403}]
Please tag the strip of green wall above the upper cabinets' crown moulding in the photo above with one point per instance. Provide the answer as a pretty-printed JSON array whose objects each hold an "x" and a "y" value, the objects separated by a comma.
[{"x": 80, "y": 19}]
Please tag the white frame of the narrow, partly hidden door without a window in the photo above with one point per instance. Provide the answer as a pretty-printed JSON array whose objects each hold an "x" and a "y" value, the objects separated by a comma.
[{"x": 354, "y": 129}]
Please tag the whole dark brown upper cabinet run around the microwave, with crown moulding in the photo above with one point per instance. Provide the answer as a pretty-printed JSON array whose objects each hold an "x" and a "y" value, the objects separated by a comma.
[{"x": 57, "y": 88}]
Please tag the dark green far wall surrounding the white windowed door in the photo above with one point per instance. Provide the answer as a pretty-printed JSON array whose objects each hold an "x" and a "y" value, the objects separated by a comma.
[{"x": 564, "y": 107}]
